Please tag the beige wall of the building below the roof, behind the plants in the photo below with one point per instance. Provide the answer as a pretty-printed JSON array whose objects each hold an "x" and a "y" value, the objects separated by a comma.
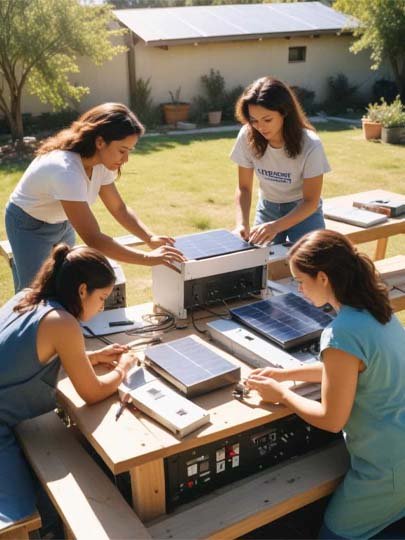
[{"x": 240, "y": 62}]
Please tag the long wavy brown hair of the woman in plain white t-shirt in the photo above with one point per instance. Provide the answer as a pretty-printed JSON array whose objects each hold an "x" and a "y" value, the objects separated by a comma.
[{"x": 111, "y": 121}]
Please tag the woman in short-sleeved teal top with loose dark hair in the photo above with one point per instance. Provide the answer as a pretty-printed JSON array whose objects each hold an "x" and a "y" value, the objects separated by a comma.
[{"x": 362, "y": 376}]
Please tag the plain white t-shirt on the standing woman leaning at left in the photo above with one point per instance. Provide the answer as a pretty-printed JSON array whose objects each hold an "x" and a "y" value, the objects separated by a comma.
[{"x": 54, "y": 177}]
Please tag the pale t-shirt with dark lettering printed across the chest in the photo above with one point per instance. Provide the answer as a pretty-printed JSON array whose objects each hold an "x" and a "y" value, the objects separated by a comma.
[{"x": 281, "y": 177}]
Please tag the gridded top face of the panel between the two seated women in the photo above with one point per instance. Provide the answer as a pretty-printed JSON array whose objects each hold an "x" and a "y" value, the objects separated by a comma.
[{"x": 189, "y": 361}]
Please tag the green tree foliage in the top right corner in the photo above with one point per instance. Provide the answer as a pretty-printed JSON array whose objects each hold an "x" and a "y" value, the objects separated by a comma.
[{"x": 382, "y": 30}]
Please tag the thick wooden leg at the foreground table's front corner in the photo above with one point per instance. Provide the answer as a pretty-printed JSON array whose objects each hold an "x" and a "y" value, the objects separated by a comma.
[{"x": 148, "y": 490}]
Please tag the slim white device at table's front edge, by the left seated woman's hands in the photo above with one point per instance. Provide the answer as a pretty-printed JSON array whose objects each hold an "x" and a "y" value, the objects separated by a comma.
[{"x": 156, "y": 399}]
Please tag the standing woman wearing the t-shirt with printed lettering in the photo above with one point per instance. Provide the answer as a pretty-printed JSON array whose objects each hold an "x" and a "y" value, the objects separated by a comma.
[{"x": 279, "y": 144}]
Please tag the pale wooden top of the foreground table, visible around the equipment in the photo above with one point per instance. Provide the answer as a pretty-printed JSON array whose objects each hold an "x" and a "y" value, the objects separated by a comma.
[{"x": 136, "y": 439}]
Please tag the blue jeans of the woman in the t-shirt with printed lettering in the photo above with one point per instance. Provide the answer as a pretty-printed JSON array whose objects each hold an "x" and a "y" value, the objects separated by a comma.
[{"x": 270, "y": 211}]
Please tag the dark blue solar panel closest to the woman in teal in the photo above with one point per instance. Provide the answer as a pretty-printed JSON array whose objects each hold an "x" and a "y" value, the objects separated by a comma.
[{"x": 287, "y": 319}]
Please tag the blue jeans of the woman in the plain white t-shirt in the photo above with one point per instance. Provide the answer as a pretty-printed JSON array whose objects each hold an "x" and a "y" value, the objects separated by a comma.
[{"x": 31, "y": 242}]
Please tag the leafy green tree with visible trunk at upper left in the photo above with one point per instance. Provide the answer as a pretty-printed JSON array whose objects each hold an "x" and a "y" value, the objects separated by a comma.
[{"x": 40, "y": 42}]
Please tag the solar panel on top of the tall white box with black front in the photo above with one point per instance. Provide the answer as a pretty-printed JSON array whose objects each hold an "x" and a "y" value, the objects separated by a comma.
[{"x": 210, "y": 244}]
